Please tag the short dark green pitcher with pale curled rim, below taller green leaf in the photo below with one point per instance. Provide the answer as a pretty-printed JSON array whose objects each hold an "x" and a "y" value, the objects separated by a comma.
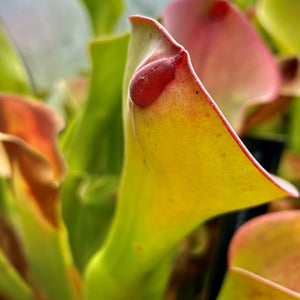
[{"x": 88, "y": 209}]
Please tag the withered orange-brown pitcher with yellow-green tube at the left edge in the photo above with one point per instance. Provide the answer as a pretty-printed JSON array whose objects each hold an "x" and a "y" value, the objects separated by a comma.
[{"x": 28, "y": 132}]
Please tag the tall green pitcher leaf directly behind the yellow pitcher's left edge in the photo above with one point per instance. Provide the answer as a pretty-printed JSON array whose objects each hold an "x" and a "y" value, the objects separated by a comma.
[{"x": 99, "y": 150}]
